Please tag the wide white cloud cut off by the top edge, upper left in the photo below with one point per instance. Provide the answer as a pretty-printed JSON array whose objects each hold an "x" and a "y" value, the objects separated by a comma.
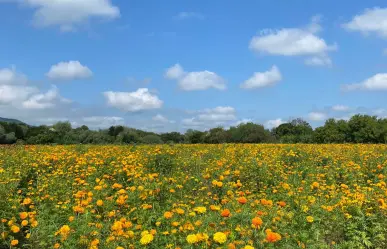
[{"x": 69, "y": 14}]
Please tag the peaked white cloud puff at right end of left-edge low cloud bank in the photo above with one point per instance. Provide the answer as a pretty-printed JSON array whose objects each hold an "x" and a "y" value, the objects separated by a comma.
[{"x": 44, "y": 100}]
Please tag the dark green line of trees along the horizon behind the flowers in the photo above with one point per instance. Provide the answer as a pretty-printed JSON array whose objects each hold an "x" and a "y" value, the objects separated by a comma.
[{"x": 358, "y": 129}]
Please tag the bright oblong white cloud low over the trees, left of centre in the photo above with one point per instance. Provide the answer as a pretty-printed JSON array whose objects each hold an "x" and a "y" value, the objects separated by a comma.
[{"x": 139, "y": 100}]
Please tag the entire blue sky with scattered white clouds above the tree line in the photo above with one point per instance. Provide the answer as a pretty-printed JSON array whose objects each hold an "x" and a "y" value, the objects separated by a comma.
[{"x": 174, "y": 65}]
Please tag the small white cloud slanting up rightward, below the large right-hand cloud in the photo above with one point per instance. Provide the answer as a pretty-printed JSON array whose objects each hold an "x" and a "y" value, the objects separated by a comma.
[{"x": 263, "y": 79}]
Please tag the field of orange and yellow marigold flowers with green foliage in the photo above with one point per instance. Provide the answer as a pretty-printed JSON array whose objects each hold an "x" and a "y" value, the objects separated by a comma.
[{"x": 193, "y": 196}]
